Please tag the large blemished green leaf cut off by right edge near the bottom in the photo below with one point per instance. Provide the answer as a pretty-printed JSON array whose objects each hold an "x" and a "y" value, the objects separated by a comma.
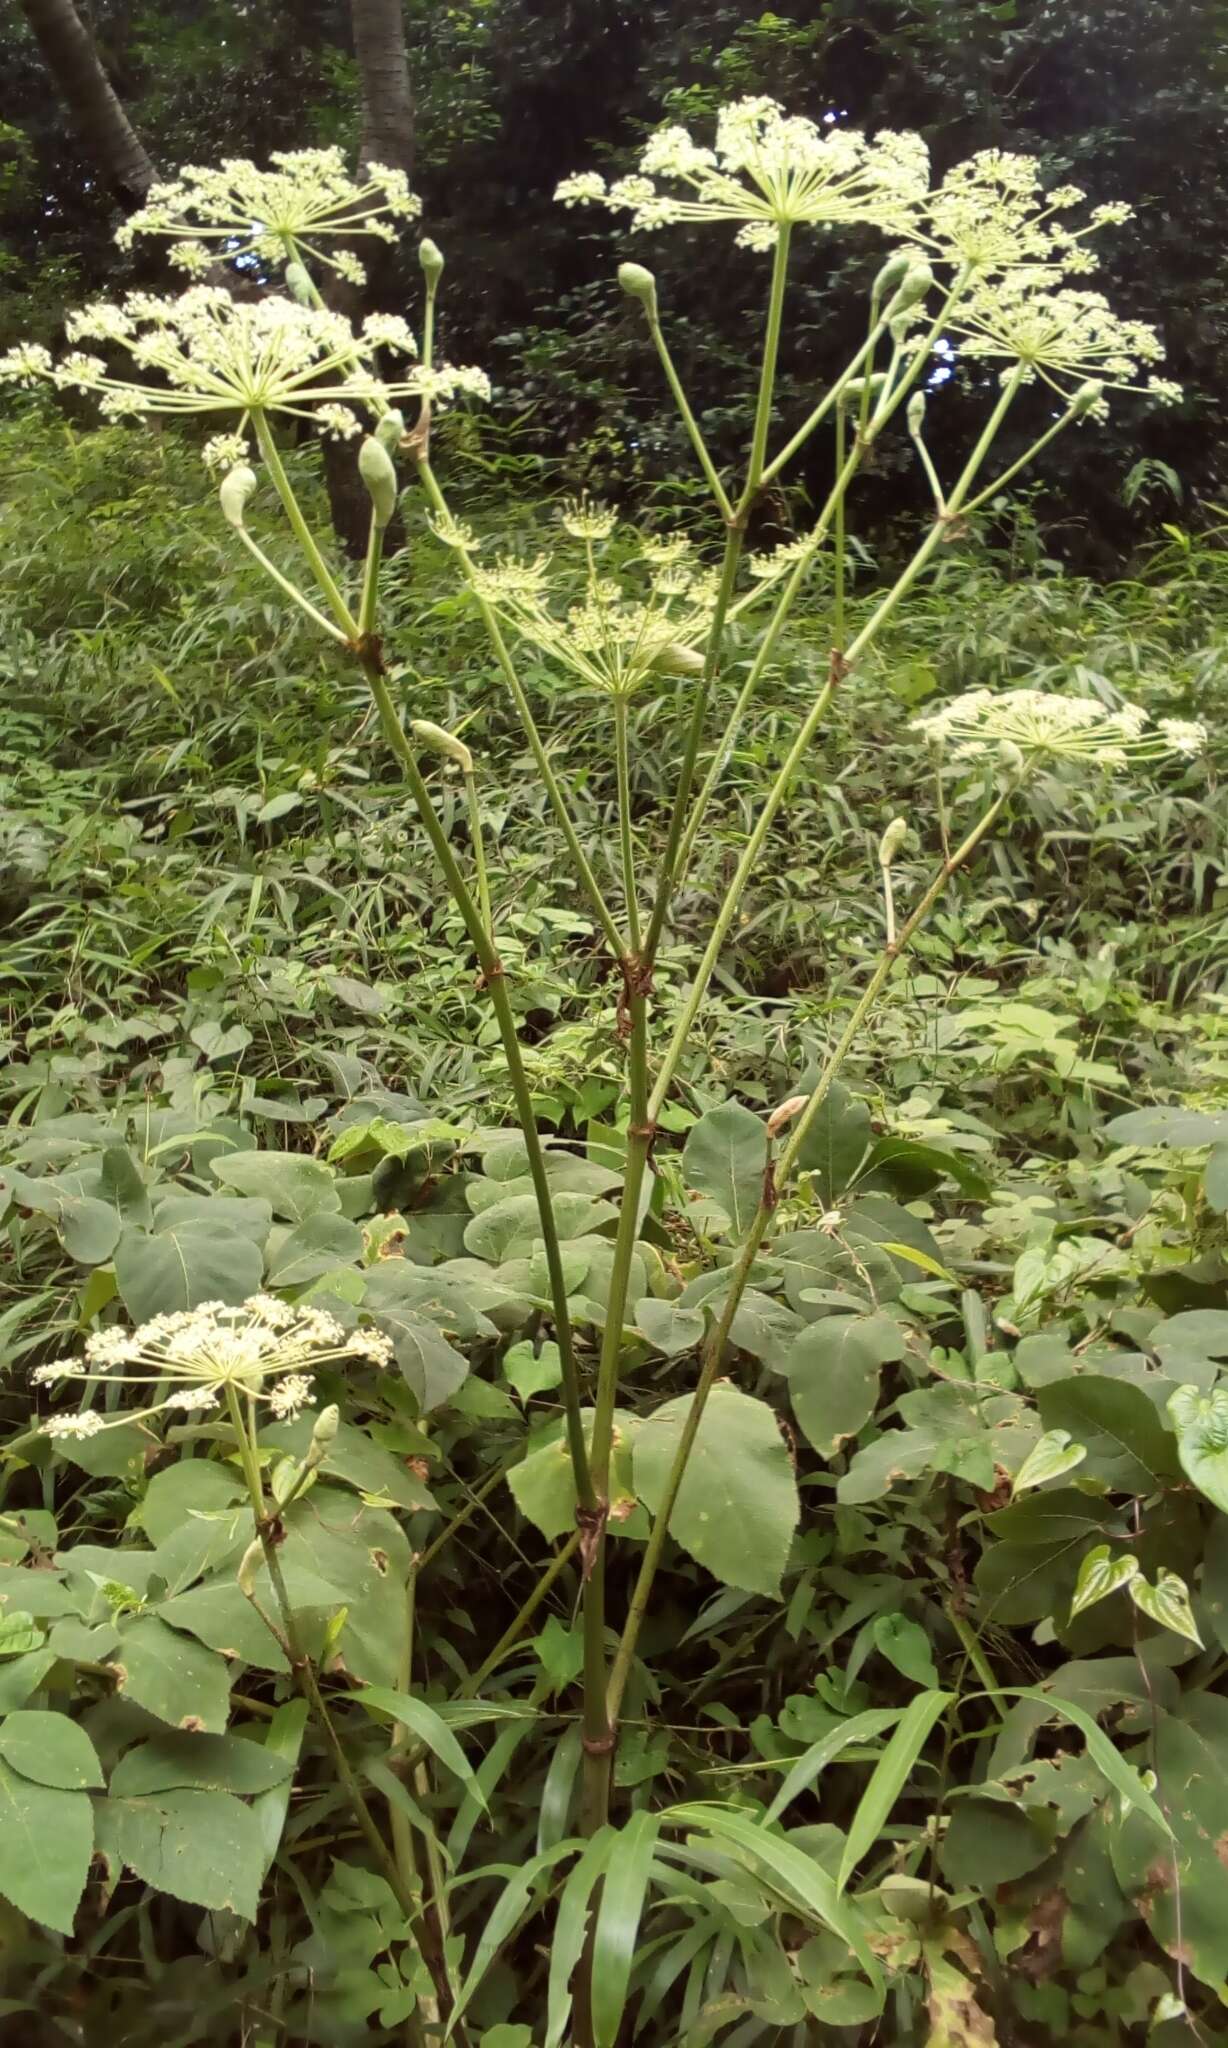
[{"x": 1192, "y": 1766}]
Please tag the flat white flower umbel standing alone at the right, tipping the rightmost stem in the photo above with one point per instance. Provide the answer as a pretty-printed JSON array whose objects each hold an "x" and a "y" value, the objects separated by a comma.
[{"x": 1057, "y": 728}]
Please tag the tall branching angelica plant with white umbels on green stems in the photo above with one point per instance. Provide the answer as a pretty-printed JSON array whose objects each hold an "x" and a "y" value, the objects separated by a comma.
[{"x": 988, "y": 257}]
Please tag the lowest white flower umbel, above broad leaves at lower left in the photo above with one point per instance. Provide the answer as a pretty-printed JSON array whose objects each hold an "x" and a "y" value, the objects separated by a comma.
[{"x": 257, "y": 1349}]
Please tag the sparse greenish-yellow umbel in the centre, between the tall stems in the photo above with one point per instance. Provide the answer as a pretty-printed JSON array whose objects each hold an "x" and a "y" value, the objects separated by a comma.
[{"x": 619, "y": 634}]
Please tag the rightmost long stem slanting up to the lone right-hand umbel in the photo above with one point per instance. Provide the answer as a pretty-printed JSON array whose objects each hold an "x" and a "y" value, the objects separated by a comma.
[{"x": 775, "y": 1183}]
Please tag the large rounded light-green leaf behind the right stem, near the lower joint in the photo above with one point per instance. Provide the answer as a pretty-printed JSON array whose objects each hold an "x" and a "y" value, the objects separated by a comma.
[{"x": 738, "y": 1506}]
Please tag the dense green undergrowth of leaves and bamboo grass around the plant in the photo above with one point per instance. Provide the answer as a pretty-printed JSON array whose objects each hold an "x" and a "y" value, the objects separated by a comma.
[{"x": 228, "y": 962}]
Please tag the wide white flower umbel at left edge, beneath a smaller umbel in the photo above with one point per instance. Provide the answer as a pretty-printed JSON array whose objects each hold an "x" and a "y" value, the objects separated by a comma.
[{"x": 208, "y": 353}]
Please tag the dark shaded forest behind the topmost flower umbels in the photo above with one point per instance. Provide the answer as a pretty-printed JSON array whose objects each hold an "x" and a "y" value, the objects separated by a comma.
[{"x": 509, "y": 95}]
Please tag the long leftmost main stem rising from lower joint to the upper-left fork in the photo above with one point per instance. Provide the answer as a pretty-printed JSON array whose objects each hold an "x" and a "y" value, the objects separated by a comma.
[{"x": 496, "y": 988}]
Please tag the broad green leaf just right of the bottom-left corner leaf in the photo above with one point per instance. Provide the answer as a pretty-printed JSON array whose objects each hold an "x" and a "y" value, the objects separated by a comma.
[{"x": 206, "y": 1848}]
